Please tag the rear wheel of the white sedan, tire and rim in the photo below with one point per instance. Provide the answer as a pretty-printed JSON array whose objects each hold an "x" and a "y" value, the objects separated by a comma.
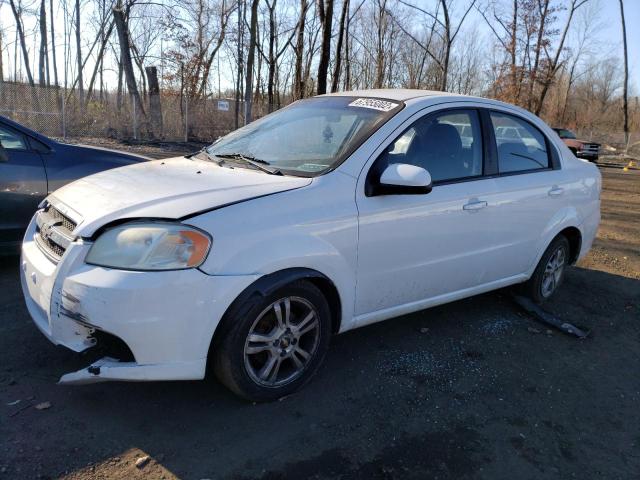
[{"x": 548, "y": 275}]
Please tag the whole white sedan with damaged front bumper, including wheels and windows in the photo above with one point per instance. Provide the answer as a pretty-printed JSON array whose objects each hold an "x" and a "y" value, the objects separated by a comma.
[{"x": 333, "y": 213}]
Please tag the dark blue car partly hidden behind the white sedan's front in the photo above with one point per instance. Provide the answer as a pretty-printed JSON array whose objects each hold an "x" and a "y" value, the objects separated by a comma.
[{"x": 32, "y": 166}]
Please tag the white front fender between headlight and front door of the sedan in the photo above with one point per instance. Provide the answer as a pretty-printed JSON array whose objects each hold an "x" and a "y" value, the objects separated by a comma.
[{"x": 313, "y": 228}]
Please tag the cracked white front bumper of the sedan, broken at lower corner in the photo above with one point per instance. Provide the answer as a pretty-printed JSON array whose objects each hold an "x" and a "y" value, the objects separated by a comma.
[{"x": 166, "y": 319}]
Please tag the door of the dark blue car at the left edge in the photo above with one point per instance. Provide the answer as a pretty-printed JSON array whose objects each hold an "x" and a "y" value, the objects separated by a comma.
[{"x": 23, "y": 184}]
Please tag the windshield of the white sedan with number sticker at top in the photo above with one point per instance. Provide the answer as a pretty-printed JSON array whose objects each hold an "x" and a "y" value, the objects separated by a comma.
[{"x": 310, "y": 136}]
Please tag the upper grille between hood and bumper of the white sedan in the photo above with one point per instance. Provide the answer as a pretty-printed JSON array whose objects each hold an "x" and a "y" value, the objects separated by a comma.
[{"x": 54, "y": 232}]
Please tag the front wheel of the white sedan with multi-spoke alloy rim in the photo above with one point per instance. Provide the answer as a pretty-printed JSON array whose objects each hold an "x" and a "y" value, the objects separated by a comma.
[{"x": 266, "y": 353}]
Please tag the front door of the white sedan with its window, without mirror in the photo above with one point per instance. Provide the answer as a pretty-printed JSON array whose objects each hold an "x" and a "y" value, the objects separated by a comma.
[{"x": 412, "y": 248}]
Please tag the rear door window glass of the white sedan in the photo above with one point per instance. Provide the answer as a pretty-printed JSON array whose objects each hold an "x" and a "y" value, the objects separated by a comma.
[{"x": 521, "y": 146}]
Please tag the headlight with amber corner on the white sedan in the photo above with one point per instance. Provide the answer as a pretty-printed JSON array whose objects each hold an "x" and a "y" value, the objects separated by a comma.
[{"x": 150, "y": 246}]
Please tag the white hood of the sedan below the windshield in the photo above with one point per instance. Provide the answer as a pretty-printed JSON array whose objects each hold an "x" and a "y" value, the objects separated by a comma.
[{"x": 171, "y": 189}]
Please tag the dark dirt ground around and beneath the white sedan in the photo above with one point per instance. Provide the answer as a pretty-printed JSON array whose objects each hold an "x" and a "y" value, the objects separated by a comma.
[{"x": 473, "y": 389}]
